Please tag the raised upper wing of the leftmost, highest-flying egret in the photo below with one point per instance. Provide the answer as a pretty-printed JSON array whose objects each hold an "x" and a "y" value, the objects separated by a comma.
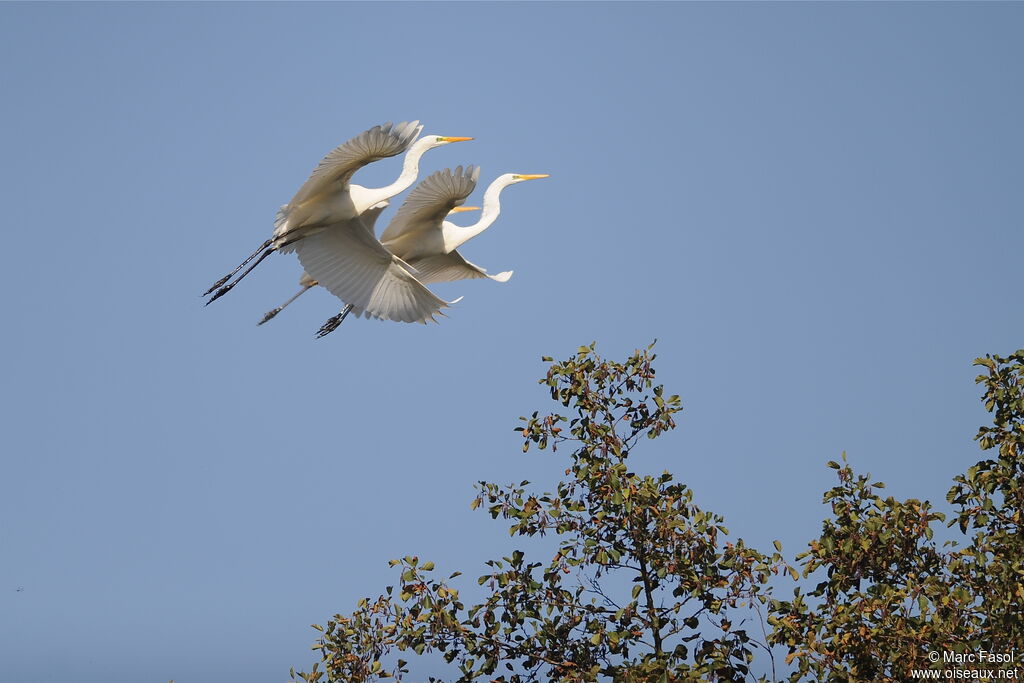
[{"x": 336, "y": 169}]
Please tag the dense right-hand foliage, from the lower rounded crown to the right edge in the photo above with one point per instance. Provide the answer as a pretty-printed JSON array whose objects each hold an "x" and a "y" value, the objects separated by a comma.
[{"x": 890, "y": 595}]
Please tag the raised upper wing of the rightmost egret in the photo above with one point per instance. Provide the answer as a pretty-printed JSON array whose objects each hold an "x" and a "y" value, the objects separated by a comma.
[{"x": 428, "y": 205}]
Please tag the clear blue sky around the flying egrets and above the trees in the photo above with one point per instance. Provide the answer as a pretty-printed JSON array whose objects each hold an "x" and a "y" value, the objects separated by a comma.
[{"x": 817, "y": 209}]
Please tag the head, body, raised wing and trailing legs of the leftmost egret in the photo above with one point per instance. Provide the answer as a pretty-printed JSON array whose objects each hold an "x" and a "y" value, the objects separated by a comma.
[{"x": 327, "y": 198}]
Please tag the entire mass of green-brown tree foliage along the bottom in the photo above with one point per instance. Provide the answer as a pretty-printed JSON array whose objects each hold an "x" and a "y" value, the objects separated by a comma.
[{"x": 645, "y": 587}]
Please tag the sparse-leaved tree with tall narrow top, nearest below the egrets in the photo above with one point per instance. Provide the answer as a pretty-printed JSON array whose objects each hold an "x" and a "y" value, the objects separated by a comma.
[{"x": 643, "y": 587}]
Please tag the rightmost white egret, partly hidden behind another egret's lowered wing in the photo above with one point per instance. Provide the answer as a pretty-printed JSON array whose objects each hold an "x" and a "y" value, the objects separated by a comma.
[{"x": 428, "y": 244}]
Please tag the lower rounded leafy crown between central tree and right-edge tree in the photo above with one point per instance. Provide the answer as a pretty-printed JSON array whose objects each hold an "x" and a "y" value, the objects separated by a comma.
[{"x": 873, "y": 617}]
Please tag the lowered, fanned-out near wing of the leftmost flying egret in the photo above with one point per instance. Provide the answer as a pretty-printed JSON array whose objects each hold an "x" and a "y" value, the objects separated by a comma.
[{"x": 353, "y": 266}]
